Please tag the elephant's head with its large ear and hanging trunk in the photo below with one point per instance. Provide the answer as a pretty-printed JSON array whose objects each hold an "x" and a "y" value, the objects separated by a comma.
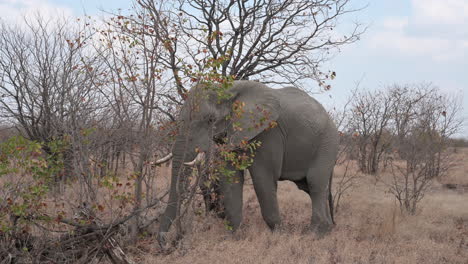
[{"x": 239, "y": 113}]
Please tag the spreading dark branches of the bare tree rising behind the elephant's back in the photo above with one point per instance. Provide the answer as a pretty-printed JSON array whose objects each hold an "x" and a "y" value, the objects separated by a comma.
[{"x": 275, "y": 41}]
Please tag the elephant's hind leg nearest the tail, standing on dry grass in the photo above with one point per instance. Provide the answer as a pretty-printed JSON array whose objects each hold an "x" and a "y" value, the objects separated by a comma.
[{"x": 318, "y": 179}]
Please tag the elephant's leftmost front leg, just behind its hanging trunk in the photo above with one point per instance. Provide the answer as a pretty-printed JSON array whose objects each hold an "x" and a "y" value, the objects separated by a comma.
[{"x": 232, "y": 188}]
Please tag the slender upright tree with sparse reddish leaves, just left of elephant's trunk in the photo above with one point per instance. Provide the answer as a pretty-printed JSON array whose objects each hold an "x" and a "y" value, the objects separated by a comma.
[{"x": 137, "y": 92}]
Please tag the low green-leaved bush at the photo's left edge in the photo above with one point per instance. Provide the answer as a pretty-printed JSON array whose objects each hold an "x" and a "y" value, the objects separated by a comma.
[{"x": 26, "y": 174}]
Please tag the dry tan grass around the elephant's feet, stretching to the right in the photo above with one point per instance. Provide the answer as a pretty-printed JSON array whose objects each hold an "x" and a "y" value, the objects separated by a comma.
[{"x": 370, "y": 229}]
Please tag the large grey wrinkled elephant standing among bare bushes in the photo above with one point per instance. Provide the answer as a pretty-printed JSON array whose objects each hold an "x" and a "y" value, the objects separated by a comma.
[{"x": 302, "y": 148}]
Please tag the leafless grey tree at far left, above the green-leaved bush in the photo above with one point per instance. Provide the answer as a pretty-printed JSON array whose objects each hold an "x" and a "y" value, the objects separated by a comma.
[{"x": 46, "y": 85}]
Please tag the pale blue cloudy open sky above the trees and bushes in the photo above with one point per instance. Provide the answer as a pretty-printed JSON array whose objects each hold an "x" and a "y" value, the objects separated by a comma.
[{"x": 406, "y": 42}]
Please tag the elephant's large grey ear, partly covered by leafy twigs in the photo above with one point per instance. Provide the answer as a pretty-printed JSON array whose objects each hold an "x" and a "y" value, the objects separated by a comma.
[{"x": 254, "y": 108}]
